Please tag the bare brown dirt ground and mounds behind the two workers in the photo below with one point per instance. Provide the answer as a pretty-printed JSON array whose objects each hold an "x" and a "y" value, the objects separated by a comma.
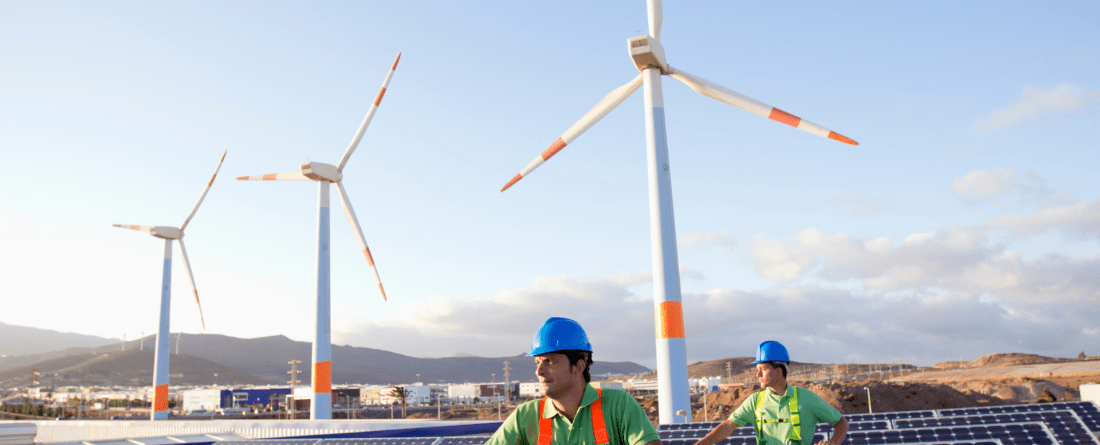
[{"x": 986, "y": 382}]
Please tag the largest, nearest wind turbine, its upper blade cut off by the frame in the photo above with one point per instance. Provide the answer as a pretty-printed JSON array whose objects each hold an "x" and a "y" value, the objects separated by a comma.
[{"x": 648, "y": 58}]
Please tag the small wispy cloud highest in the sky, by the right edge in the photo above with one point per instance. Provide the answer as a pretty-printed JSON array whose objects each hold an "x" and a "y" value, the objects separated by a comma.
[{"x": 1036, "y": 104}]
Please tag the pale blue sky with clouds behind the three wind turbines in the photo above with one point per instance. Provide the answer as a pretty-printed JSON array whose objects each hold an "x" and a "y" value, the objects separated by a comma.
[{"x": 966, "y": 224}]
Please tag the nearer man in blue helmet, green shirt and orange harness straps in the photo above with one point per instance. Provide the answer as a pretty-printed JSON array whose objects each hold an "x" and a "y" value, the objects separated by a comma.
[{"x": 573, "y": 413}]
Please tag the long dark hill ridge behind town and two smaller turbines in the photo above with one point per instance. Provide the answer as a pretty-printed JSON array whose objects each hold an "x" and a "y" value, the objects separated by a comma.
[{"x": 266, "y": 360}]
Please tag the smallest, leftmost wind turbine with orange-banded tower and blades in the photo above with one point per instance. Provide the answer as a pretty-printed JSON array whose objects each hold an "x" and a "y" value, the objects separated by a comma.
[{"x": 161, "y": 357}]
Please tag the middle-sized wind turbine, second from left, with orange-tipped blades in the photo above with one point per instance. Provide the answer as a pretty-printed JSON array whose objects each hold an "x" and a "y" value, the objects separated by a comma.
[{"x": 326, "y": 174}]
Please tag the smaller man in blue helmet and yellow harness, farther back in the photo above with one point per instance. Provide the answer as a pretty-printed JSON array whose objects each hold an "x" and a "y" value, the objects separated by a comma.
[{"x": 782, "y": 414}]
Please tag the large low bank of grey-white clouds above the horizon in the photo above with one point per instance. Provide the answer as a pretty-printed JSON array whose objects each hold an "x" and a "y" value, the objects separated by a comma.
[{"x": 927, "y": 298}]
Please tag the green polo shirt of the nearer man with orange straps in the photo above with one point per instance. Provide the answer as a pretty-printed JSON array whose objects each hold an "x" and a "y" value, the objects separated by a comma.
[{"x": 626, "y": 422}]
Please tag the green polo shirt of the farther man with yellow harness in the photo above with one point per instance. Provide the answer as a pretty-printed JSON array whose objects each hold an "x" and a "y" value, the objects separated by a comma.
[{"x": 812, "y": 409}]
